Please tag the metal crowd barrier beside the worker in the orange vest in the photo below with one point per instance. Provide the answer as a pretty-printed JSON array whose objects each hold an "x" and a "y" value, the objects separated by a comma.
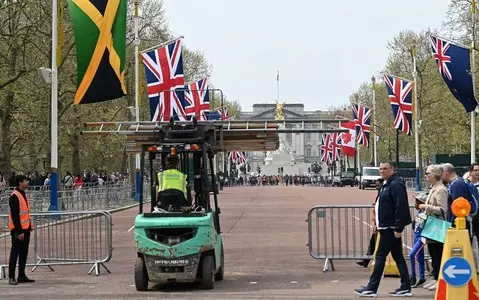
[{"x": 63, "y": 238}]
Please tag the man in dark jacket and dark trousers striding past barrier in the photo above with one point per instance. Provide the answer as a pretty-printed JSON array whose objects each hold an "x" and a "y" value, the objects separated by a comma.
[{"x": 392, "y": 216}]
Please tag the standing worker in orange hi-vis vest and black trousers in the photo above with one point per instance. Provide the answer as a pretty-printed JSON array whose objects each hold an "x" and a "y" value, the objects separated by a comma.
[{"x": 20, "y": 225}]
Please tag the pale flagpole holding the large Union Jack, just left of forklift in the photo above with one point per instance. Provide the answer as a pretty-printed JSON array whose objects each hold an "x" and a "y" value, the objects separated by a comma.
[{"x": 137, "y": 100}]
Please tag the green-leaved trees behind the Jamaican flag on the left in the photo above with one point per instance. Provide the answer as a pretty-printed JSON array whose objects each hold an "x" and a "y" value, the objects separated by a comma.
[{"x": 25, "y": 46}]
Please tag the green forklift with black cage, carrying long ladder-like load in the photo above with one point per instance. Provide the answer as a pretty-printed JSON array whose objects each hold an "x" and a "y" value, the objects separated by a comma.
[{"x": 179, "y": 240}]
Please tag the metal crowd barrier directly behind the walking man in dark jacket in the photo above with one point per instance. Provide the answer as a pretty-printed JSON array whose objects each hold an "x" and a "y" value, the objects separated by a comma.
[{"x": 343, "y": 232}]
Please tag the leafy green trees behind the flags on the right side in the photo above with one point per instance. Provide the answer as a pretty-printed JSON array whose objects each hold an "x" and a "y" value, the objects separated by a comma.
[{"x": 445, "y": 126}]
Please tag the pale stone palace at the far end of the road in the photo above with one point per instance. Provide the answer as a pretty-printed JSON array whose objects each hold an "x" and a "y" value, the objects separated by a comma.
[{"x": 301, "y": 149}]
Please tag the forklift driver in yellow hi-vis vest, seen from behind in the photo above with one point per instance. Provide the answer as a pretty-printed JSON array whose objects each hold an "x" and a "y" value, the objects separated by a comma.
[{"x": 172, "y": 180}]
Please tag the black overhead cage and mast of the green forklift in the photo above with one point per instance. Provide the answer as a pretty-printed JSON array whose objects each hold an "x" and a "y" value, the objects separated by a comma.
[{"x": 195, "y": 160}]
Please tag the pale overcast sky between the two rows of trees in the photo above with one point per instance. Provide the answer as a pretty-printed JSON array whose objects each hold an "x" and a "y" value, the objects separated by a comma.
[{"x": 323, "y": 49}]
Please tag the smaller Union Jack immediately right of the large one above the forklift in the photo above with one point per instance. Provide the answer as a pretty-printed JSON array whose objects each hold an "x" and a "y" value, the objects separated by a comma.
[{"x": 197, "y": 99}]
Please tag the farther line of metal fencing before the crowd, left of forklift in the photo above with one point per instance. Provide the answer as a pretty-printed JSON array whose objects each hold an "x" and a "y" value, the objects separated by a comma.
[{"x": 101, "y": 197}]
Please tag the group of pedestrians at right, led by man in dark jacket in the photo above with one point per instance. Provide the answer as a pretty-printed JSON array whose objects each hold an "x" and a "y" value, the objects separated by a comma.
[{"x": 391, "y": 215}]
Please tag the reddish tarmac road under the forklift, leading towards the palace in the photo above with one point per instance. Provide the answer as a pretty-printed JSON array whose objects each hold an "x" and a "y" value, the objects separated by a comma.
[{"x": 266, "y": 257}]
